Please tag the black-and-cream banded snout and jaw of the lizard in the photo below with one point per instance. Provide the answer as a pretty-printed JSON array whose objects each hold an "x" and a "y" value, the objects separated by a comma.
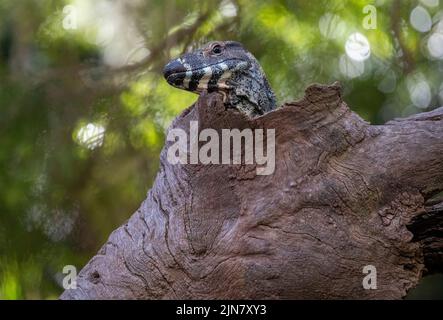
[{"x": 179, "y": 73}]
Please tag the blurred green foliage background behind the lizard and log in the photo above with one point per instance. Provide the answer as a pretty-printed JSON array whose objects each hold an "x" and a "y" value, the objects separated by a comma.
[{"x": 62, "y": 191}]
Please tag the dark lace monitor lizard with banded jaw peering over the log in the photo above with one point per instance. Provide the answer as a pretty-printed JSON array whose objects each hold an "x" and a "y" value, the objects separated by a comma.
[{"x": 226, "y": 67}]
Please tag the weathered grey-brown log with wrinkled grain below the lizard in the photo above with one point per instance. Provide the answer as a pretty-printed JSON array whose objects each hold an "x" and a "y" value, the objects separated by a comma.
[{"x": 344, "y": 194}]
